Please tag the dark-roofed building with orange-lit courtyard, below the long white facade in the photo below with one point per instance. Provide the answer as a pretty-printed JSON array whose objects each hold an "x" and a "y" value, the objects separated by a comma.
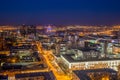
[{"x": 95, "y": 74}]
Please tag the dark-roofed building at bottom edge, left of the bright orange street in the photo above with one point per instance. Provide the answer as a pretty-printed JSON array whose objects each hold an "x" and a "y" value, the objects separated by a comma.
[{"x": 30, "y": 76}]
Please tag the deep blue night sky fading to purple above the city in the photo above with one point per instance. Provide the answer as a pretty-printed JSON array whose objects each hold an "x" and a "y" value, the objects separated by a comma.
[{"x": 60, "y": 12}]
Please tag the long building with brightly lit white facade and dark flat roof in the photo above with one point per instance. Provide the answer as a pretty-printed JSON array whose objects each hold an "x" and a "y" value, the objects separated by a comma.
[{"x": 71, "y": 63}]
